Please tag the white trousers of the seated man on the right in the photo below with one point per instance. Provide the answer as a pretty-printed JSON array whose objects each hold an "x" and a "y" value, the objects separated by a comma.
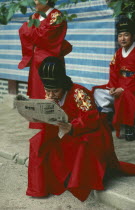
[{"x": 103, "y": 100}]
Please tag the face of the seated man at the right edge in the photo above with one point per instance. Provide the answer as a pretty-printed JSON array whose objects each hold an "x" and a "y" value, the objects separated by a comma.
[{"x": 125, "y": 39}]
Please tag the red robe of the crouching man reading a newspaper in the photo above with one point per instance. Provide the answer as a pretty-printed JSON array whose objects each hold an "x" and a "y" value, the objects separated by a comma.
[{"x": 82, "y": 157}]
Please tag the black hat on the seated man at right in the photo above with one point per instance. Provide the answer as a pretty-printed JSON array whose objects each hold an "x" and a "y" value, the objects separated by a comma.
[{"x": 125, "y": 25}]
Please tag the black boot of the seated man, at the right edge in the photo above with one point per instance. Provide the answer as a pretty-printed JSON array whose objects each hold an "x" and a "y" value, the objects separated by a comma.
[{"x": 129, "y": 133}]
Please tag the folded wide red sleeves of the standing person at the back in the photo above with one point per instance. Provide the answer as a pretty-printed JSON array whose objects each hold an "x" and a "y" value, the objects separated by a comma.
[{"x": 46, "y": 40}]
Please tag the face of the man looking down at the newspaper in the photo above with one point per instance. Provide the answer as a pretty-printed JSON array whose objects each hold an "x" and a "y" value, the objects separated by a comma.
[{"x": 54, "y": 94}]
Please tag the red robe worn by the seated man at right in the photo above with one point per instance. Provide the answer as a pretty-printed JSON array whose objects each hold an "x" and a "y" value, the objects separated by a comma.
[{"x": 124, "y": 104}]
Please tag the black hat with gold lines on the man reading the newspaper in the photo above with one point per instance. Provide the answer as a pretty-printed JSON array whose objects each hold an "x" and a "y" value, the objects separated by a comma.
[{"x": 53, "y": 75}]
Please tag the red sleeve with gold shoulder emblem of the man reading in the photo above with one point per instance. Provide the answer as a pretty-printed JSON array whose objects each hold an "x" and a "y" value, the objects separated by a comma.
[{"x": 87, "y": 120}]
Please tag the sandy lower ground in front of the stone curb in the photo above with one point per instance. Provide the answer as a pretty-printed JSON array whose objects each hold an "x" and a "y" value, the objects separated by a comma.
[{"x": 13, "y": 185}]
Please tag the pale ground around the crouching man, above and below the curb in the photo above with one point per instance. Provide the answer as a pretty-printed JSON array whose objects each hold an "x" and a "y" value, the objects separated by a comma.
[{"x": 14, "y": 145}]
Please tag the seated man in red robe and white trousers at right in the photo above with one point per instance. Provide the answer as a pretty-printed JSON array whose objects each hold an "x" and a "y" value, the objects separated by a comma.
[{"x": 120, "y": 89}]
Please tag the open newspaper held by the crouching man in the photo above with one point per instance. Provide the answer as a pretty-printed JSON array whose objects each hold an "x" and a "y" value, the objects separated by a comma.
[{"x": 40, "y": 110}]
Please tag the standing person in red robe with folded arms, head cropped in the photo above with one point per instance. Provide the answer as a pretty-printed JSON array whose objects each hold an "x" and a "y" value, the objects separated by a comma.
[{"x": 39, "y": 43}]
